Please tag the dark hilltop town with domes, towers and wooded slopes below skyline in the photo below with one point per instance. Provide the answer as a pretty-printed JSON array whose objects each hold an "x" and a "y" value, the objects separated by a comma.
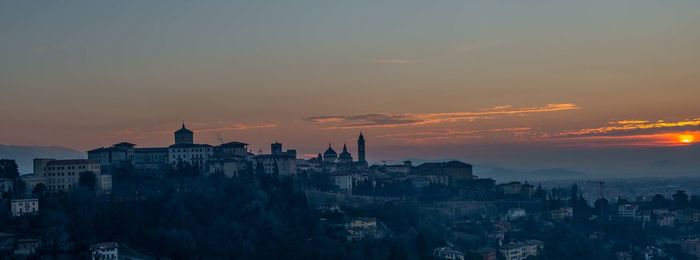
[{"x": 224, "y": 201}]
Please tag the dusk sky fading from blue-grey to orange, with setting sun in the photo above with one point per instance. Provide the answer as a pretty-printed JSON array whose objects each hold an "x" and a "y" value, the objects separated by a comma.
[{"x": 609, "y": 87}]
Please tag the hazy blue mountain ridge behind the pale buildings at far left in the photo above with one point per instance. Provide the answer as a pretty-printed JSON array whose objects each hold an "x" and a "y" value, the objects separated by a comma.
[{"x": 24, "y": 155}]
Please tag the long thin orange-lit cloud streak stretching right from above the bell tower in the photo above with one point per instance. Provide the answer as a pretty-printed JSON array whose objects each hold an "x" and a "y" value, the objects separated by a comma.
[{"x": 385, "y": 120}]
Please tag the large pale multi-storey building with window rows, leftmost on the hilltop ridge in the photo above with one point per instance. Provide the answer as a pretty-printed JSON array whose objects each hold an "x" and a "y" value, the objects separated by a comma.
[{"x": 64, "y": 175}]
